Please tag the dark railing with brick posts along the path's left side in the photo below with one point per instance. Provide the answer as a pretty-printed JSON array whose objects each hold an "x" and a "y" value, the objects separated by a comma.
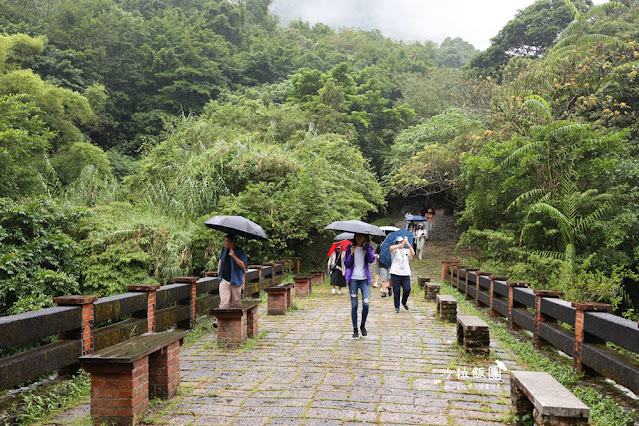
[{"x": 83, "y": 324}]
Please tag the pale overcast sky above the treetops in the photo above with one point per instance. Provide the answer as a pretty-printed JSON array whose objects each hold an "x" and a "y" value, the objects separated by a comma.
[{"x": 476, "y": 21}]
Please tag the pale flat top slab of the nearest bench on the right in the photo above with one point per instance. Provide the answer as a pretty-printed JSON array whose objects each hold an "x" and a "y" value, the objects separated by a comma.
[{"x": 548, "y": 396}]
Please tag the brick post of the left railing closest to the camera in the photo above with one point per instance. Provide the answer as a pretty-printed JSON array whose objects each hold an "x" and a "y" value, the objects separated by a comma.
[{"x": 84, "y": 332}]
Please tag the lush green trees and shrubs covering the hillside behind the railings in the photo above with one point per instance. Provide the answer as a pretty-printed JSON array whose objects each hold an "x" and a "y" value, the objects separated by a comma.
[{"x": 126, "y": 123}]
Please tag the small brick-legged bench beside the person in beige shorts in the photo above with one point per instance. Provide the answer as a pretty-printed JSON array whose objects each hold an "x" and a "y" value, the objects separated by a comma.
[{"x": 236, "y": 321}]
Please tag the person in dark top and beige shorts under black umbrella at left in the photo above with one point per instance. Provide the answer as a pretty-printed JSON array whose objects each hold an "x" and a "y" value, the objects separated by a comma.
[{"x": 230, "y": 270}]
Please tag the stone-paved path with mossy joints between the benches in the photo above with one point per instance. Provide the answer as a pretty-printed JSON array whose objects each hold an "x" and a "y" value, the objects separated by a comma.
[{"x": 306, "y": 369}]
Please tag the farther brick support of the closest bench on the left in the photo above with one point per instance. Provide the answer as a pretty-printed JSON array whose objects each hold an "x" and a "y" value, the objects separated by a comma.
[{"x": 164, "y": 371}]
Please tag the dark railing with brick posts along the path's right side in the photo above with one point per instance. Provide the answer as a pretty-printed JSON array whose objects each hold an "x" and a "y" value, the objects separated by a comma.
[{"x": 580, "y": 330}]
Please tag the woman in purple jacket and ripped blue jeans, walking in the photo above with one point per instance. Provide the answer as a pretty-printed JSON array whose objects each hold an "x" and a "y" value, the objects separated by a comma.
[{"x": 359, "y": 255}]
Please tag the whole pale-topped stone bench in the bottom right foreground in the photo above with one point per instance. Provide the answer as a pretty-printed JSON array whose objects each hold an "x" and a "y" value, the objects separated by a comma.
[{"x": 549, "y": 402}]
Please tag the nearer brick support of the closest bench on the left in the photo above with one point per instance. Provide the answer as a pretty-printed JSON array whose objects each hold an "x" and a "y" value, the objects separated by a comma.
[{"x": 119, "y": 392}]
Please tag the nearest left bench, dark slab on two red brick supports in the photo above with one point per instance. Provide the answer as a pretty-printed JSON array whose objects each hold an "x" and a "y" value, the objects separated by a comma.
[{"x": 126, "y": 375}]
